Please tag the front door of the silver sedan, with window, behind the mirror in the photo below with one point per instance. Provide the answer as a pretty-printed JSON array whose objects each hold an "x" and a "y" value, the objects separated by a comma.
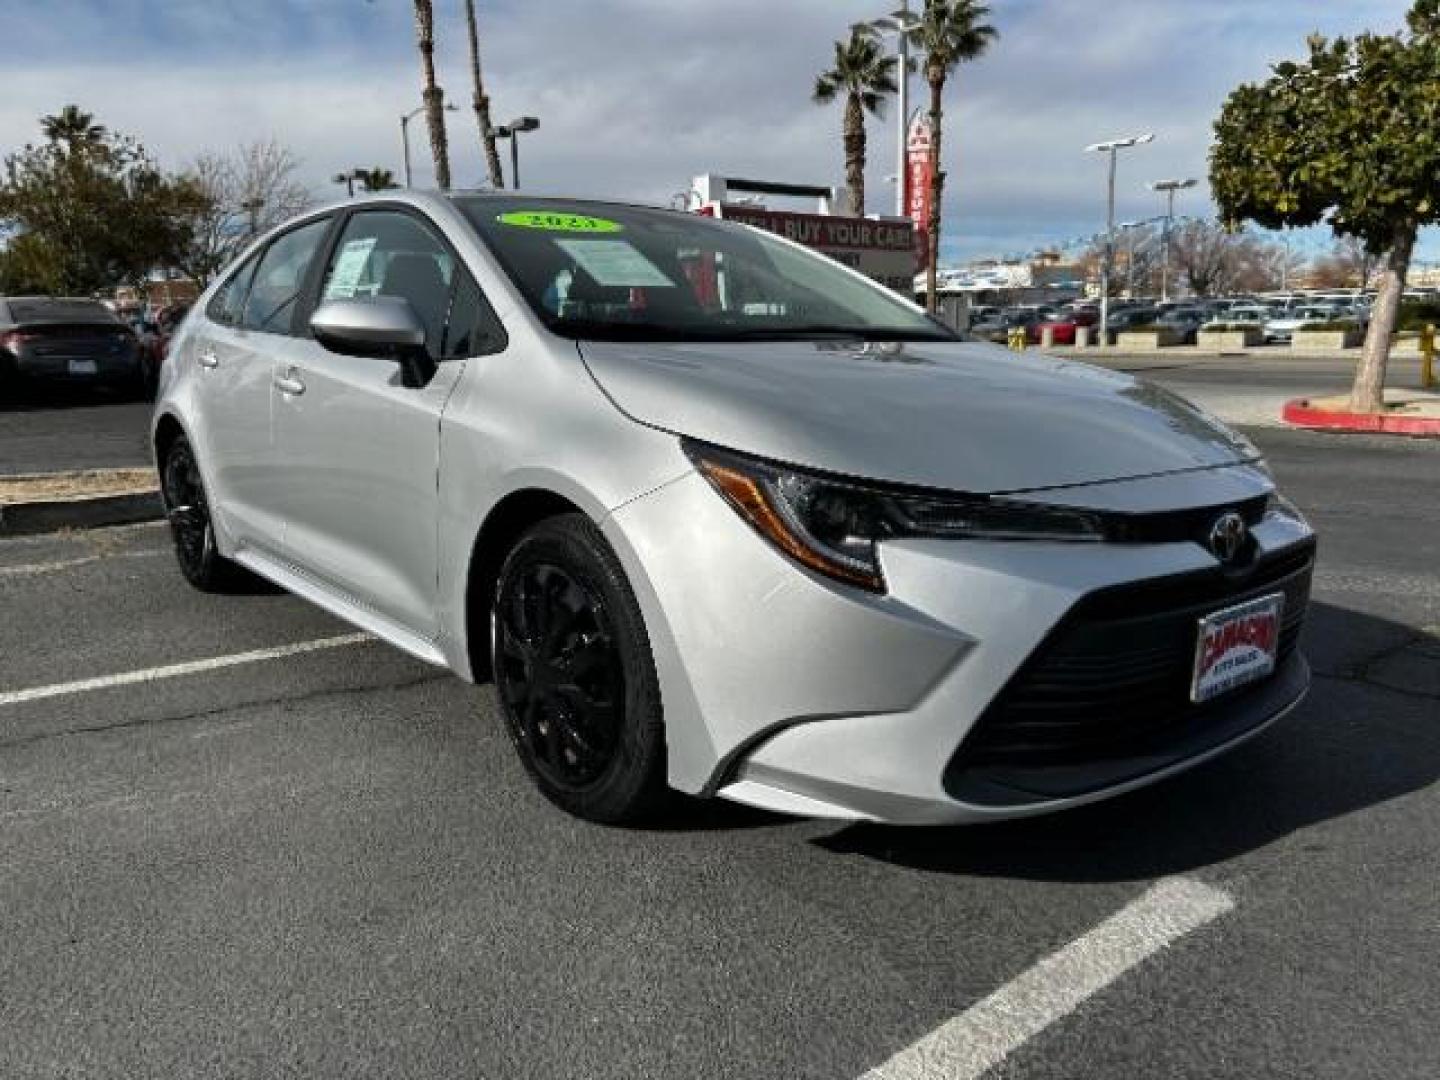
[{"x": 361, "y": 449}]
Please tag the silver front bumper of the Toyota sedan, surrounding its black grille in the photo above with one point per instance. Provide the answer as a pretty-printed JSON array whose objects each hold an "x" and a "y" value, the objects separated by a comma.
[{"x": 788, "y": 692}]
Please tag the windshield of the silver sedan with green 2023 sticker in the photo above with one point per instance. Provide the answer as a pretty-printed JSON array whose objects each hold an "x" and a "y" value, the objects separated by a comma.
[{"x": 623, "y": 273}]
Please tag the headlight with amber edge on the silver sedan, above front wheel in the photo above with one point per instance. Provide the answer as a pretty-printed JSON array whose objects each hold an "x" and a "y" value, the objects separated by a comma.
[{"x": 833, "y": 526}]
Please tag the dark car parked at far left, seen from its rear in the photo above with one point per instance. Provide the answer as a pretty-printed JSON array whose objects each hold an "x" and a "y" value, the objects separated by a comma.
[{"x": 73, "y": 341}]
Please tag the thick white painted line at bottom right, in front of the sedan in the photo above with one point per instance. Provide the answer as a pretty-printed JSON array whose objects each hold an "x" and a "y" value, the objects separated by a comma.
[{"x": 987, "y": 1033}]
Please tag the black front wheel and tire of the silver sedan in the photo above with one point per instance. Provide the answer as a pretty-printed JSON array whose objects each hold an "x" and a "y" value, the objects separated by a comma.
[{"x": 575, "y": 675}]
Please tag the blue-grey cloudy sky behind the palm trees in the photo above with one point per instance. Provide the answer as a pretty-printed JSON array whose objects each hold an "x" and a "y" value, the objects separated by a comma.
[{"x": 640, "y": 96}]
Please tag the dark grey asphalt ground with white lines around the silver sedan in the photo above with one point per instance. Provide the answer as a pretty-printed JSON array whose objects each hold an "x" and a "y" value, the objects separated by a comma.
[{"x": 310, "y": 856}]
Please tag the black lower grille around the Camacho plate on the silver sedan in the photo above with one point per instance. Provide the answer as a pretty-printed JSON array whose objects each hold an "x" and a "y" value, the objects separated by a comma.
[{"x": 1112, "y": 682}]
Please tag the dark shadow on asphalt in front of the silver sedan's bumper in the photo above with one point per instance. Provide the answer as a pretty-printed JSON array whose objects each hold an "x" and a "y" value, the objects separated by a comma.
[{"x": 1351, "y": 745}]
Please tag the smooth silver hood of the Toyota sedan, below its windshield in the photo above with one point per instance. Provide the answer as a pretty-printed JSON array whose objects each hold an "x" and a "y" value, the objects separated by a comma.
[{"x": 963, "y": 417}]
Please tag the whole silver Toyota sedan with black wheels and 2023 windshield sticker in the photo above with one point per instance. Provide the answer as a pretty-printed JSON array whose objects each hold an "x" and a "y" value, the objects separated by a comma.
[{"x": 719, "y": 515}]
